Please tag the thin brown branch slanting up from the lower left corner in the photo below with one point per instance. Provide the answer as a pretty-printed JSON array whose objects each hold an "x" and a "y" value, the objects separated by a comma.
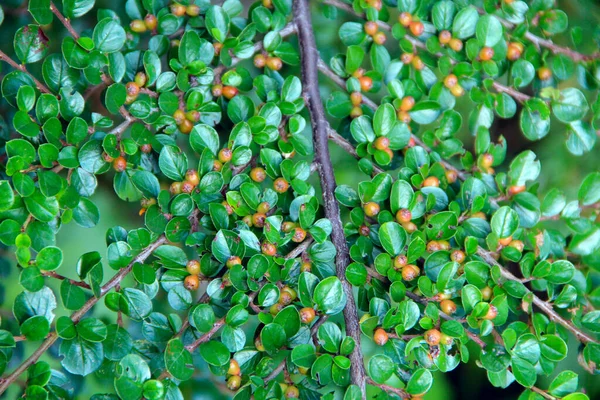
[{"x": 76, "y": 316}]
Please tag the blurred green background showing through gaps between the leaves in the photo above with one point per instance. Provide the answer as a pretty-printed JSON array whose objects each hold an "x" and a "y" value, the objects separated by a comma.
[{"x": 559, "y": 169}]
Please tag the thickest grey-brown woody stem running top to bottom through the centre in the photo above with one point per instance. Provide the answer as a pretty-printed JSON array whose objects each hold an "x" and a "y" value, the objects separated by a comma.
[{"x": 310, "y": 82}]
